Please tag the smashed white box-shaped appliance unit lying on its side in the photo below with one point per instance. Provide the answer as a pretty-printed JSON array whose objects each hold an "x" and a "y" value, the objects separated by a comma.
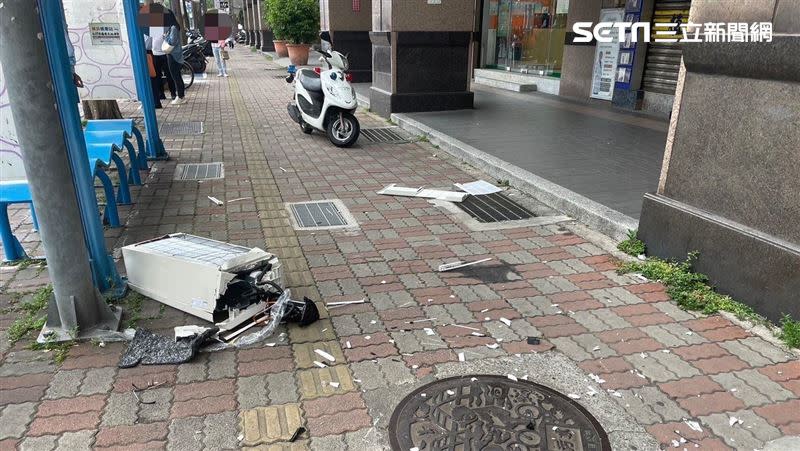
[{"x": 210, "y": 279}]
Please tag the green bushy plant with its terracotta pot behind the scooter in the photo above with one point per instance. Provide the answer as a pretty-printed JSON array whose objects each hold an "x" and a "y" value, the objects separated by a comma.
[{"x": 298, "y": 22}]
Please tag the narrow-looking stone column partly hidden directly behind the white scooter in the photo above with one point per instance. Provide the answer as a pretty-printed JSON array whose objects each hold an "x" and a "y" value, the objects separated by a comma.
[{"x": 349, "y": 28}]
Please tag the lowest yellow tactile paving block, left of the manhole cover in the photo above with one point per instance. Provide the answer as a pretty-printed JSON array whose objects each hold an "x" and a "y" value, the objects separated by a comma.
[{"x": 265, "y": 425}]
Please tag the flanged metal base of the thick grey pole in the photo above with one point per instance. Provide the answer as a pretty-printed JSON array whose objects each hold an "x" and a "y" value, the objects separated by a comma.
[{"x": 62, "y": 323}]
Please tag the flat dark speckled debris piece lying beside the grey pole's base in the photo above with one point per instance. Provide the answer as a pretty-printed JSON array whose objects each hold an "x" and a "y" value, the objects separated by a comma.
[{"x": 148, "y": 348}]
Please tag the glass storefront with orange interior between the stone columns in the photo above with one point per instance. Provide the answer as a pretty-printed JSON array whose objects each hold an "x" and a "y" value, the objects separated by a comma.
[{"x": 526, "y": 35}]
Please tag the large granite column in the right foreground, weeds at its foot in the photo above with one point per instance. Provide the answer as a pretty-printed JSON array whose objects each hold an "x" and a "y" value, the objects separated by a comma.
[{"x": 730, "y": 184}]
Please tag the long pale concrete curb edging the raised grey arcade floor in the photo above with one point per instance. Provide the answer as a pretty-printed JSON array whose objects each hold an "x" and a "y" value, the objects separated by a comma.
[{"x": 596, "y": 216}]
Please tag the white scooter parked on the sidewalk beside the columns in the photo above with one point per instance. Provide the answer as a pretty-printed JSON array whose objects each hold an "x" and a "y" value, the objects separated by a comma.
[{"x": 325, "y": 101}]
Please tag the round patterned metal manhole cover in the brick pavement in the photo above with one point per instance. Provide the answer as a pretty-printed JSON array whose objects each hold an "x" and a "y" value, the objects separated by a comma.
[{"x": 492, "y": 413}]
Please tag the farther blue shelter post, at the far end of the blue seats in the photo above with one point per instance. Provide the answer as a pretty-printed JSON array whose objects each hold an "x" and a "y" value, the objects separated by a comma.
[{"x": 141, "y": 74}]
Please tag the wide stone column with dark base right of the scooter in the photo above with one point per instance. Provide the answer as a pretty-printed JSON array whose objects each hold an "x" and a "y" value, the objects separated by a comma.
[{"x": 422, "y": 57}]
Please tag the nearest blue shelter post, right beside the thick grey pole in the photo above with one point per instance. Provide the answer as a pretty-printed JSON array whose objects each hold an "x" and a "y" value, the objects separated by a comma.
[{"x": 51, "y": 14}]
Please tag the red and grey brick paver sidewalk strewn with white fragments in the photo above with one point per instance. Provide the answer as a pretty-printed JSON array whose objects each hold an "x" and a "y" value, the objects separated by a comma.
[{"x": 661, "y": 366}]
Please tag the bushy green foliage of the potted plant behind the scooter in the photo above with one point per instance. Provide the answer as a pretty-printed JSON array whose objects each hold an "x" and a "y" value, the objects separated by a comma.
[{"x": 294, "y": 20}]
